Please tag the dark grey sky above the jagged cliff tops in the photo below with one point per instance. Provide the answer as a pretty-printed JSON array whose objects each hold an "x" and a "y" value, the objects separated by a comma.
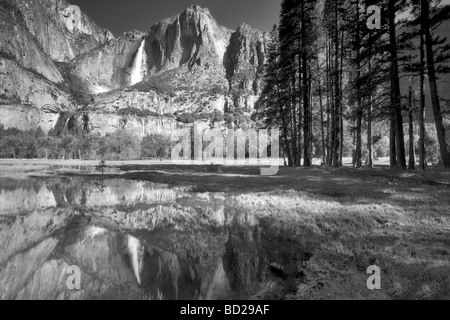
[{"x": 125, "y": 15}]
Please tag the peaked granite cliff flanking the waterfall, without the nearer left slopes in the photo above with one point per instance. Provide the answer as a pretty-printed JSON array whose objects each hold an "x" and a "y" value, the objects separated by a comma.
[{"x": 192, "y": 64}]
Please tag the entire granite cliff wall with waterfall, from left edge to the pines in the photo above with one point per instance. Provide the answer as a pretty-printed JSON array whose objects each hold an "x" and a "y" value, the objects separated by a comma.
[{"x": 53, "y": 58}]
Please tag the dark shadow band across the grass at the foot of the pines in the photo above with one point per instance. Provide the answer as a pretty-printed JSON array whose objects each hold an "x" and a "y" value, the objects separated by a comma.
[{"x": 239, "y": 180}]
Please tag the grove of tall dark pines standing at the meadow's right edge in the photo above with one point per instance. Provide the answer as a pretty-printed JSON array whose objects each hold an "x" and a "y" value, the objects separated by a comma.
[{"x": 332, "y": 78}]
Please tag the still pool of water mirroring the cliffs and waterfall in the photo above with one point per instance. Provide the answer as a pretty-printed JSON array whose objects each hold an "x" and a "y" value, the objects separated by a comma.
[{"x": 130, "y": 240}]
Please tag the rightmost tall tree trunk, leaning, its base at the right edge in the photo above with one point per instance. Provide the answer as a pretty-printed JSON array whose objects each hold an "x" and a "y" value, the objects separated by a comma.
[{"x": 445, "y": 155}]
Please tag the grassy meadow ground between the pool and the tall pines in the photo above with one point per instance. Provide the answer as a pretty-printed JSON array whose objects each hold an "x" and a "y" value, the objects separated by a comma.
[{"x": 346, "y": 221}]
